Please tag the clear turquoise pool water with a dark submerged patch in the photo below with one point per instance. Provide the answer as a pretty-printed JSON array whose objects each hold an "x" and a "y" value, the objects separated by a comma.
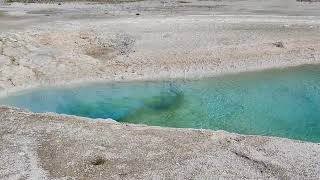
[{"x": 284, "y": 103}]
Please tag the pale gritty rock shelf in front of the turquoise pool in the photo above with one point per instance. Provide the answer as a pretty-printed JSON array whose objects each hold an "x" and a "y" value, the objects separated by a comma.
[{"x": 49, "y": 146}]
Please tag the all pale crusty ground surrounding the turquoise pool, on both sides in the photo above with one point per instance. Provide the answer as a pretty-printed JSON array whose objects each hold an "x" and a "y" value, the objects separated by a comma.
[{"x": 66, "y": 43}]
